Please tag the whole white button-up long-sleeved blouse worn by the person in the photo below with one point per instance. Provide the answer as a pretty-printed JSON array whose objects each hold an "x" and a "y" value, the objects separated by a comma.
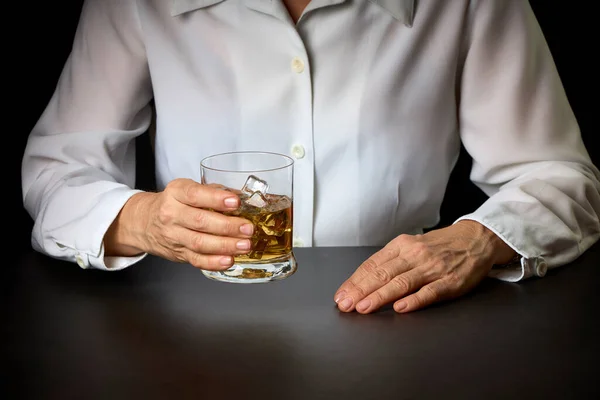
[{"x": 371, "y": 98}]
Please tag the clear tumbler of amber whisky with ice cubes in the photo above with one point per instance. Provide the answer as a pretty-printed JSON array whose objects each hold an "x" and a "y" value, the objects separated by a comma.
[{"x": 264, "y": 182}]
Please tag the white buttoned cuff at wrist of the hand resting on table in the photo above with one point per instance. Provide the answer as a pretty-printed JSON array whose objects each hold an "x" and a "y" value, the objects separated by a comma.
[{"x": 525, "y": 267}]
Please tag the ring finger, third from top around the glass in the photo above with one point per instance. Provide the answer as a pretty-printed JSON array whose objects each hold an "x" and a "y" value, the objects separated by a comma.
[{"x": 204, "y": 243}]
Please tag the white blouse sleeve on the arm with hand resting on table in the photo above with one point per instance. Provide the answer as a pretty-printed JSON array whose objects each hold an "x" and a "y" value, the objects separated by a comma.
[{"x": 528, "y": 154}]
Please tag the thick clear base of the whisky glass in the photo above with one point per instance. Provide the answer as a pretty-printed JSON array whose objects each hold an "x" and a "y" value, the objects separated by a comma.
[{"x": 274, "y": 270}]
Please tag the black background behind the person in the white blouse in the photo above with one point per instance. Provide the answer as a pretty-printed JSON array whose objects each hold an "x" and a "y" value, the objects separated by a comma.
[{"x": 40, "y": 41}]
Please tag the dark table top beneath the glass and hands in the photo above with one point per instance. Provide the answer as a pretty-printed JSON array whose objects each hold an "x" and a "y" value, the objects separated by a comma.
[{"x": 163, "y": 330}]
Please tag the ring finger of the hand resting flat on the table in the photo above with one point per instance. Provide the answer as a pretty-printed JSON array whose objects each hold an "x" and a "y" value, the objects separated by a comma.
[{"x": 396, "y": 288}]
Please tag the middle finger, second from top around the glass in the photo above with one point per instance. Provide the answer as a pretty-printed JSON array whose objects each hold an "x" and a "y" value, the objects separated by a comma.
[{"x": 200, "y": 220}]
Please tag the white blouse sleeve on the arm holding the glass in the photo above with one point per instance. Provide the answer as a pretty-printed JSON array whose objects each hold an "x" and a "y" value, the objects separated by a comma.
[{"x": 78, "y": 168}]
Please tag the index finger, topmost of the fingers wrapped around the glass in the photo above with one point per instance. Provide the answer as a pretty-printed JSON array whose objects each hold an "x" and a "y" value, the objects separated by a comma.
[{"x": 194, "y": 194}]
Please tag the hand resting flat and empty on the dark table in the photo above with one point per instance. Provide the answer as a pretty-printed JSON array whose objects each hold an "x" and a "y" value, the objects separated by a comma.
[{"x": 417, "y": 271}]
